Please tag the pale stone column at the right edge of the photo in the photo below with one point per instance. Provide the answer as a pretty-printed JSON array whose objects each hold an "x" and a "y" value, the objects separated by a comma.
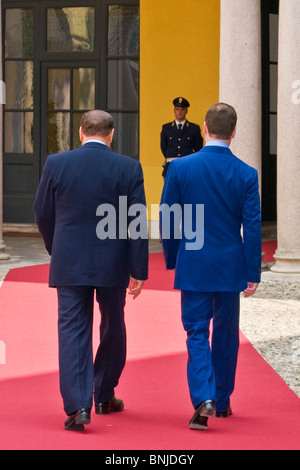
[{"x": 288, "y": 151}]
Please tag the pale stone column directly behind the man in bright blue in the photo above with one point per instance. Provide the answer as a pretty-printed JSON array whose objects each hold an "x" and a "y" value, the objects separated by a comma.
[{"x": 240, "y": 74}]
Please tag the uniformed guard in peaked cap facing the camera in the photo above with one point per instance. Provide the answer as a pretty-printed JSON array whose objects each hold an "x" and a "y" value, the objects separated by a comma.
[{"x": 180, "y": 137}]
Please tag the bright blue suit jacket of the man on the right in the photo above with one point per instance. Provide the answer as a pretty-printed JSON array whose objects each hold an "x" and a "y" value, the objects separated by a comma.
[{"x": 228, "y": 189}]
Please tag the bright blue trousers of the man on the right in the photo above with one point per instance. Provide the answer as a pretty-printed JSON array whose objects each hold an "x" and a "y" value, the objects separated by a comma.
[{"x": 211, "y": 366}]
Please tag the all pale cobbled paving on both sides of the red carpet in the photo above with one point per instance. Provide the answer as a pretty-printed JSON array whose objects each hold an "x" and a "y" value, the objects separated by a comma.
[{"x": 270, "y": 319}]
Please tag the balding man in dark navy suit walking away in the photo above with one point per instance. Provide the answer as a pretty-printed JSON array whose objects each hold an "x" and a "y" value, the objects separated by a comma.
[{"x": 81, "y": 211}]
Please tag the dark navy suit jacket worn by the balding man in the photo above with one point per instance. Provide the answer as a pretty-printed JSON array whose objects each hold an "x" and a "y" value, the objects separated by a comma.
[{"x": 72, "y": 186}]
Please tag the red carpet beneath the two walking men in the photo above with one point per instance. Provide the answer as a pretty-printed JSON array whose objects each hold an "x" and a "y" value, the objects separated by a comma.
[{"x": 153, "y": 385}]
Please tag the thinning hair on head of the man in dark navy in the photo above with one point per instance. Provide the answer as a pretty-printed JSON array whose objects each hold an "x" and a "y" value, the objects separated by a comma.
[{"x": 97, "y": 122}]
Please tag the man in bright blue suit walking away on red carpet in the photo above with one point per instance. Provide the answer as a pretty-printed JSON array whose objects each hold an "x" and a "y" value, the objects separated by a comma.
[{"x": 216, "y": 254}]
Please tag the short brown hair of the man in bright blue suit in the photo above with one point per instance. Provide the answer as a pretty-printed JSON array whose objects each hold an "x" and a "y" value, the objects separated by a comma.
[{"x": 221, "y": 121}]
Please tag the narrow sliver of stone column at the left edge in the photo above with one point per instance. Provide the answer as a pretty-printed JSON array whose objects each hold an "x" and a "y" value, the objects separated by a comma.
[{"x": 3, "y": 255}]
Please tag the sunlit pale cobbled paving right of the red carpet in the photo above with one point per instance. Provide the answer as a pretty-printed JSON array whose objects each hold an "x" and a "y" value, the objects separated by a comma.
[{"x": 271, "y": 321}]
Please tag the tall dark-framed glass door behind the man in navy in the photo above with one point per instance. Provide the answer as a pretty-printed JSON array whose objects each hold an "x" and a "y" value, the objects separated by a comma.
[{"x": 60, "y": 59}]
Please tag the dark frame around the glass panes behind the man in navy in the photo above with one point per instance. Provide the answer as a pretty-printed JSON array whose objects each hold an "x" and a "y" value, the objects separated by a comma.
[{"x": 18, "y": 204}]
